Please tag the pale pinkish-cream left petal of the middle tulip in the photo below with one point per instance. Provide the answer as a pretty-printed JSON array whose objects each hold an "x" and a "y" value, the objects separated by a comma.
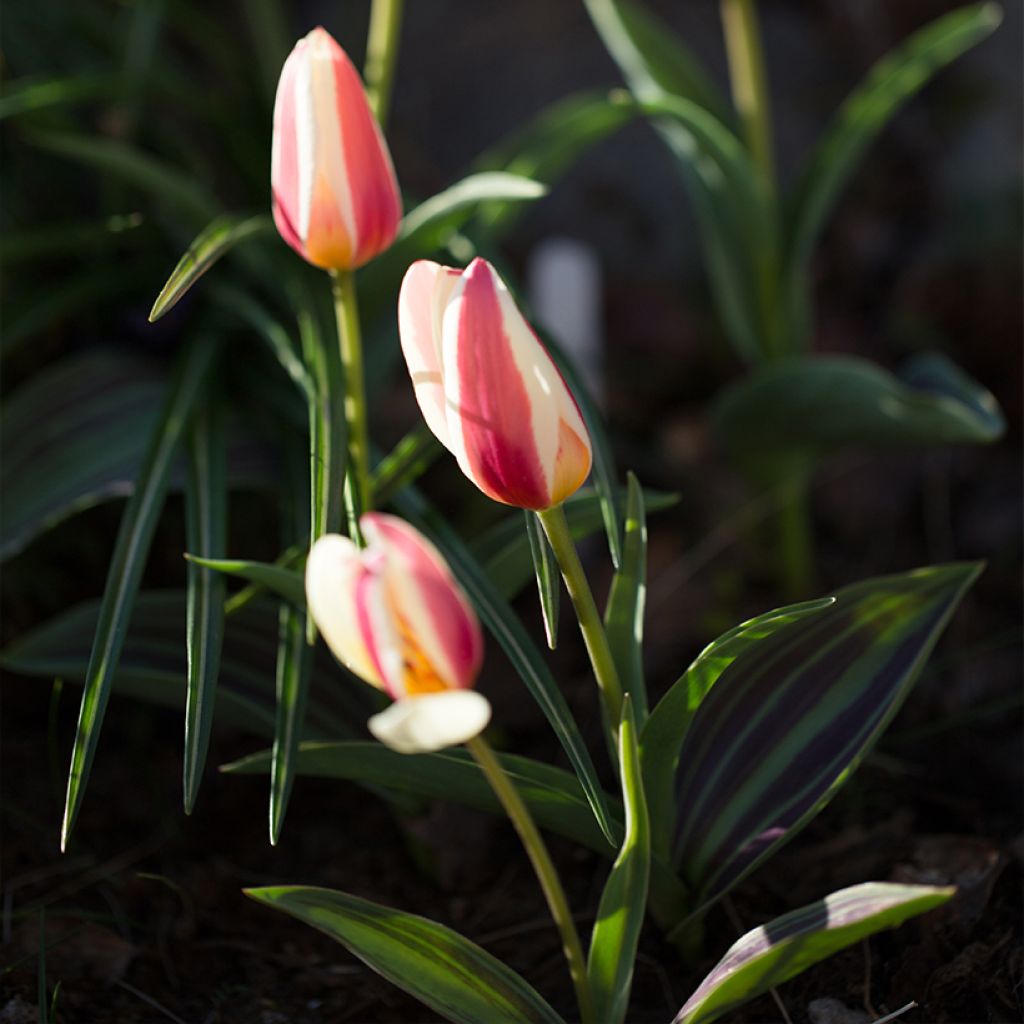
[{"x": 425, "y": 291}]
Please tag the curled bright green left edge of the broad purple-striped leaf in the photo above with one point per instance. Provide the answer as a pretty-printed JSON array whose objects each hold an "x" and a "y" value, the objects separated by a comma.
[{"x": 663, "y": 736}]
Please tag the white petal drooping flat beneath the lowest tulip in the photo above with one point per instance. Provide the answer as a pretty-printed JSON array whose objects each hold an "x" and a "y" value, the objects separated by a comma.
[{"x": 421, "y": 726}]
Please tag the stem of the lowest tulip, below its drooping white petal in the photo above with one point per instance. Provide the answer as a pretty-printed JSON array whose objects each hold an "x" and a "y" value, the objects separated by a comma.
[{"x": 537, "y": 850}]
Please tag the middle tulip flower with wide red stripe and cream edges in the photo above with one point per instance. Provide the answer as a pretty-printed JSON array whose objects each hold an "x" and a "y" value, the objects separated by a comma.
[{"x": 488, "y": 389}]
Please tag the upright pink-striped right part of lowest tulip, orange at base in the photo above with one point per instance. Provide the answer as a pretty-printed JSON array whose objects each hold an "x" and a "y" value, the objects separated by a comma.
[{"x": 439, "y": 633}]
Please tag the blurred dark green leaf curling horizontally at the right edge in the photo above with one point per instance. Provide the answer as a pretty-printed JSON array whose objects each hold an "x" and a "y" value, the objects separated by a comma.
[{"x": 805, "y": 408}]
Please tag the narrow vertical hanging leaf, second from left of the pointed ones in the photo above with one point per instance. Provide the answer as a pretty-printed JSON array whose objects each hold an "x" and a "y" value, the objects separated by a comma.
[{"x": 206, "y": 528}]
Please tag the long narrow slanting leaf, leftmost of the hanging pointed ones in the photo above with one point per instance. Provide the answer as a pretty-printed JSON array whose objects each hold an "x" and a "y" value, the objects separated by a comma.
[{"x": 127, "y": 563}]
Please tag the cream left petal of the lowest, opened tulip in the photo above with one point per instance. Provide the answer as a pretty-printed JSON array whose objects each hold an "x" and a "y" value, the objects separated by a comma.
[{"x": 334, "y": 573}]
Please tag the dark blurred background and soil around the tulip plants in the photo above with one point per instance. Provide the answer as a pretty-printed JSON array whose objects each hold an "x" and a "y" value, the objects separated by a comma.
[{"x": 924, "y": 252}]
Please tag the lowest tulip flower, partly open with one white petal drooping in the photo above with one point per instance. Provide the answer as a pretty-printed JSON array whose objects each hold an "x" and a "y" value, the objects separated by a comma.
[{"x": 394, "y": 615}]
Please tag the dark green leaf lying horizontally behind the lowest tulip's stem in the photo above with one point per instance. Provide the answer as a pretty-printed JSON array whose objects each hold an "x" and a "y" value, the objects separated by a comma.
[{"x": 554, "y": 797}]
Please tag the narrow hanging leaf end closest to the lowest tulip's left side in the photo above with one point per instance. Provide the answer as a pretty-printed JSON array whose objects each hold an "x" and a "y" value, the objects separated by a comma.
[{"x": 294, "y": 665}]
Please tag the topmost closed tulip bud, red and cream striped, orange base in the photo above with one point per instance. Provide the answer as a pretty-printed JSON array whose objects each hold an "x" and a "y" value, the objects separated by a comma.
[{"x": 336, "y": 200}]
